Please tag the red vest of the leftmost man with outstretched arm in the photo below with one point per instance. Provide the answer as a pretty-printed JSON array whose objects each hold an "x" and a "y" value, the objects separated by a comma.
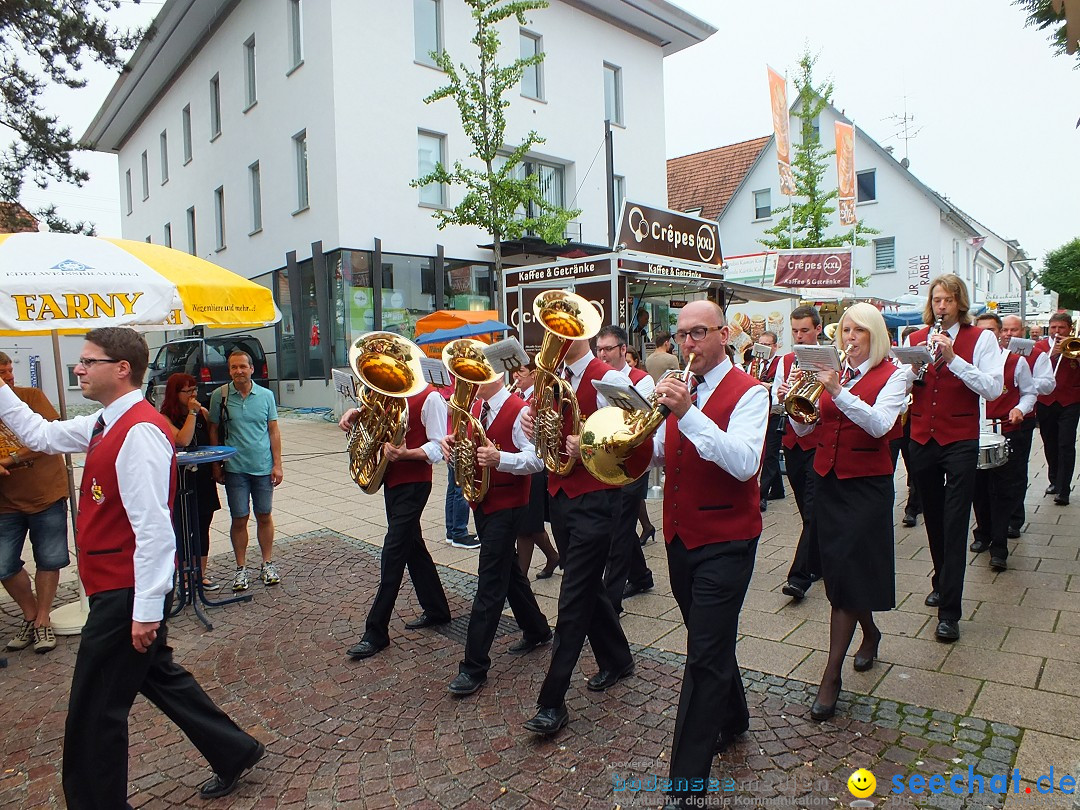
[{"x": 106, "y": 537}]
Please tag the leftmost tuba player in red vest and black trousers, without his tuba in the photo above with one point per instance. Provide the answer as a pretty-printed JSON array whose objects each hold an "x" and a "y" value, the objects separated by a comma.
[{"x": 406, "y": 489}]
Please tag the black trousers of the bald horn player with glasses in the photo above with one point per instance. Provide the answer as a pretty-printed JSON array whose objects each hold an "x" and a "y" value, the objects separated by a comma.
[{"x": 710, "y": 585}]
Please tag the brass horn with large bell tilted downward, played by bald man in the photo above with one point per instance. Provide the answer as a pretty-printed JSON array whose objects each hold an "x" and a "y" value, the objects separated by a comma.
[{"x": 612, "y": 437}]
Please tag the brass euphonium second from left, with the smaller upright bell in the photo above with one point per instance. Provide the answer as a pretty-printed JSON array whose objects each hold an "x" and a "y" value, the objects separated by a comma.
[{"x": 465, "y": 359}]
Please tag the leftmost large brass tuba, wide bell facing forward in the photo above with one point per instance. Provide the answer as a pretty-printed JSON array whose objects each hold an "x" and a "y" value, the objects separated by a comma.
[{"x": 389, "y": 370}]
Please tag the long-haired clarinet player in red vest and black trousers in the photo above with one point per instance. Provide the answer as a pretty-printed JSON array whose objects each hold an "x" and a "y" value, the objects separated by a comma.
[{"x": 944, "y": 443}]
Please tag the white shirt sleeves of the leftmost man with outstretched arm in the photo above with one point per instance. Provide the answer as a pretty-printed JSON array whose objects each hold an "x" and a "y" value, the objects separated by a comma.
[{"x": 144, "y": 469}]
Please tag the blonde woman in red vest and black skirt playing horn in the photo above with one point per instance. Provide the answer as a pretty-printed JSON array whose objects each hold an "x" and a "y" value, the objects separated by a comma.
[{"x": 854, "y": 492}]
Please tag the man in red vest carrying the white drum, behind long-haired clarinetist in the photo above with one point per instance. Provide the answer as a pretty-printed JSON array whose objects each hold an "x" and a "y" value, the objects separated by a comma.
[{"x": 1000, "y": 489}]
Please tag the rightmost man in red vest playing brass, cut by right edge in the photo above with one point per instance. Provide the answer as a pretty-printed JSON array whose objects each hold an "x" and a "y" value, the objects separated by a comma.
[{"x": 1060, "y": 411}]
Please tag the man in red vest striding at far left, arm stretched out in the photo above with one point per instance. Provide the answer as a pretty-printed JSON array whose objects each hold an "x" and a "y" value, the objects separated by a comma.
[{"x": 127, "y": 558}]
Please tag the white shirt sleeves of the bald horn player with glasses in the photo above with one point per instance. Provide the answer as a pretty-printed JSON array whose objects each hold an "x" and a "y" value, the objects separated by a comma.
[{"x": 738, "y": 450}]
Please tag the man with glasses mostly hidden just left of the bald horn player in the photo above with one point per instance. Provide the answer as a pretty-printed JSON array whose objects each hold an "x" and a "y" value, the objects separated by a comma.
[{"x": 628, "y": 573}]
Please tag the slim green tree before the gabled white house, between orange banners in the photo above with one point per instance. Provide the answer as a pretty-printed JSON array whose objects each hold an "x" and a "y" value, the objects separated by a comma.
[{"x": 807, "y": 220}]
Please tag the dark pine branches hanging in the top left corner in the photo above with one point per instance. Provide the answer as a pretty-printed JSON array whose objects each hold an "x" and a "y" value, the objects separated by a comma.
[{"x": 46, "y": 43}]
